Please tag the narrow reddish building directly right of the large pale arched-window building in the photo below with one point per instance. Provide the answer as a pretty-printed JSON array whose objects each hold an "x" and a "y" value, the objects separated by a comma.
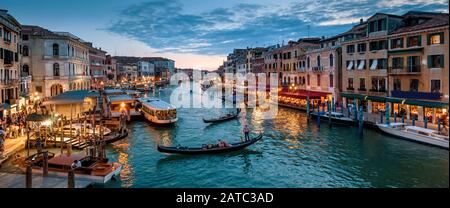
[{"x": 98, "y": 68}]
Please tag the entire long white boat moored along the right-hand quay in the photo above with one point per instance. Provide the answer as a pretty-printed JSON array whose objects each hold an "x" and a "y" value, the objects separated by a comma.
[{"x": 415, "y": 133}]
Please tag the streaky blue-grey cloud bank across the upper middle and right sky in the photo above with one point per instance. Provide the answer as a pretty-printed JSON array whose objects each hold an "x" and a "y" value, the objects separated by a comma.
[{"x": 166, "y": 27}]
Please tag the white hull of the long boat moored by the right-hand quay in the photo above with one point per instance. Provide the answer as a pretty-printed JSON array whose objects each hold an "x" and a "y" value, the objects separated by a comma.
[{"x": 413, "y": 137}]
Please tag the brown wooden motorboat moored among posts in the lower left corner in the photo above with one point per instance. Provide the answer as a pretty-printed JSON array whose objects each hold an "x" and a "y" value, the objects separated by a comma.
[{"x": 95, "y": 170}]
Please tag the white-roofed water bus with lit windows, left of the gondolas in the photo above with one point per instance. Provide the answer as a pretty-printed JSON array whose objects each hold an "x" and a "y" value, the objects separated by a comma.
[{"x": 158, "y": 111}]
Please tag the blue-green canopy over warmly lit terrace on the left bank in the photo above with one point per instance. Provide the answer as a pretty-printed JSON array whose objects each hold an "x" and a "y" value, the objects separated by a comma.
[{"x": 73, "y": 103}]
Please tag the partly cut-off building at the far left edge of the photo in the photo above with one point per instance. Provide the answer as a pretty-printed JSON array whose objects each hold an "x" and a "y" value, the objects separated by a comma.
[{"x": 9, "y": 63}]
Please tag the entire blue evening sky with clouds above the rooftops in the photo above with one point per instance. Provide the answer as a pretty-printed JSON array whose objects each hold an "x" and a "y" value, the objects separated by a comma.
[{"x": 199, "y": 33}]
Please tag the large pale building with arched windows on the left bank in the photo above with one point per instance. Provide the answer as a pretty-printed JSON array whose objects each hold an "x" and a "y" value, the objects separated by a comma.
[{"x": 58, "y": 61}]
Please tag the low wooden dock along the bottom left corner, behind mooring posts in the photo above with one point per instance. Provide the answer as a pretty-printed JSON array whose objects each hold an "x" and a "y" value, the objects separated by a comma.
[{"x": 14, "y": 180}]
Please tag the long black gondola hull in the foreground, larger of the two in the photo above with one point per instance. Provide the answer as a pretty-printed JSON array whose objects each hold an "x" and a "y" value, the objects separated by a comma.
[{"x": 206, "y": 150}]
